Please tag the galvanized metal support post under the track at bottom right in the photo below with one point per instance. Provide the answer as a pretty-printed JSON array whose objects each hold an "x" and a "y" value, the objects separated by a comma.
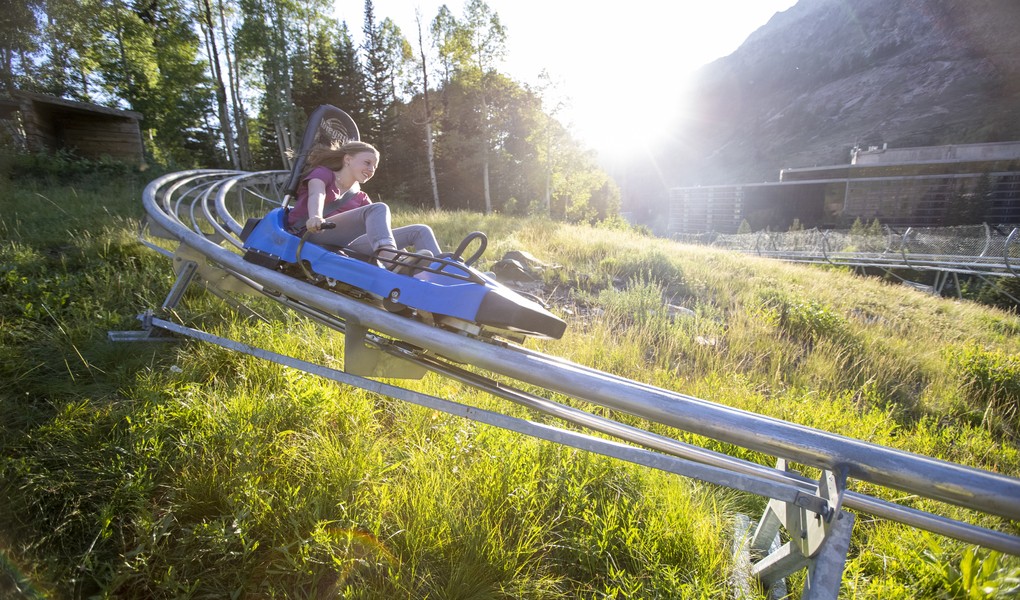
[{"x": 819, "y": 542}]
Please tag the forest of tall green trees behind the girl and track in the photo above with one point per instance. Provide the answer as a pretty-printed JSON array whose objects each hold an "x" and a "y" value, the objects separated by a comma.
[{"x": 231, "y": 83}]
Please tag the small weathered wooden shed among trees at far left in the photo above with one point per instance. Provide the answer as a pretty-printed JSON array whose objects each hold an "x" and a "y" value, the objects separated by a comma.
[{"x": 90, "y": 131}]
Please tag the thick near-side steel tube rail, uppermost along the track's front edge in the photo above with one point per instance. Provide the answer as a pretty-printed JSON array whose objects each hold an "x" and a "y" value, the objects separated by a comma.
[{"x": 973, "y": 488}]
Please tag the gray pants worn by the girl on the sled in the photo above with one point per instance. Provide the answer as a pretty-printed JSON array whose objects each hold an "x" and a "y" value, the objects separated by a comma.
[{"x": 368, "y": 229}]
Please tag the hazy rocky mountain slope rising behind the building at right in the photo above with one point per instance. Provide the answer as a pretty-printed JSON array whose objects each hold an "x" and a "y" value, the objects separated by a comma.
[{"x": 827, "y": 75}]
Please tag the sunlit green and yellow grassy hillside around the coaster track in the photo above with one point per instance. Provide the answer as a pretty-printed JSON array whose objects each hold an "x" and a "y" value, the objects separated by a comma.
[{"x": 182, "y": 470}]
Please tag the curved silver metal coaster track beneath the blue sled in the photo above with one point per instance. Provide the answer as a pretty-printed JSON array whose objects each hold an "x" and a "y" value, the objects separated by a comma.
[{"x": 203, "y": 213}]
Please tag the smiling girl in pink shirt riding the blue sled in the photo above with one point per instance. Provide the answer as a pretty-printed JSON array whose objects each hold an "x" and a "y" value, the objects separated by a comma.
[{"x": 331, "y": 192}]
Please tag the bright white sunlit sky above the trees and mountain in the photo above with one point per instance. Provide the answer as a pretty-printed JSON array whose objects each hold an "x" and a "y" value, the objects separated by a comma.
[{"x": 611, "y": 64}]
